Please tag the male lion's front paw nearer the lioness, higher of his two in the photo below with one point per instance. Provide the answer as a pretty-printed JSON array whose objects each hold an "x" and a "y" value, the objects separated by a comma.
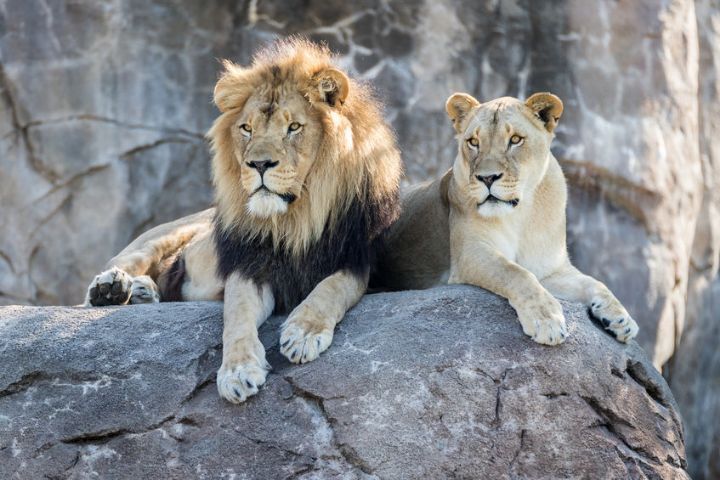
[{"x": 305, "y": 335}]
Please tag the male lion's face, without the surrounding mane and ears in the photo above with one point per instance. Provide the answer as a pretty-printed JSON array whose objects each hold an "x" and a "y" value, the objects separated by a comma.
[{"x": 274, "y": 142}]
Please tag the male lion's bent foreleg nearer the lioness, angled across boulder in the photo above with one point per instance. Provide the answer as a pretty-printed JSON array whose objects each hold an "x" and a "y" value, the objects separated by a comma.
[{"x": 309, "y": 329}]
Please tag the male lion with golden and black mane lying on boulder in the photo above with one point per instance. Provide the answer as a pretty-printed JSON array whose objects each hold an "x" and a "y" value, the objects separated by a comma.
[{"x": 306, "y": 174}]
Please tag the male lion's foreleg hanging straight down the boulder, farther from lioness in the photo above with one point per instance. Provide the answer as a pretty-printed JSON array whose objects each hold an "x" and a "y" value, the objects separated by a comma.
[{"x": 244, "y": 368}]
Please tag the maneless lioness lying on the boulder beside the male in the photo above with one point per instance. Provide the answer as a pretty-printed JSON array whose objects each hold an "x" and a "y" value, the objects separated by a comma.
[{"x": 497, "y": 220}]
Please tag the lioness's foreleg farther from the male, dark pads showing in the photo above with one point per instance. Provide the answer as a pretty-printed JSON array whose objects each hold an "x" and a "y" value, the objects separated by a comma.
[{"x": 569, "y": 283}]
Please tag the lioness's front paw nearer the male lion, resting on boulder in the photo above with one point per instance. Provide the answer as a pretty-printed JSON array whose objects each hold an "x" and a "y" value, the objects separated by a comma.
[{"x": 543, "y": 320}]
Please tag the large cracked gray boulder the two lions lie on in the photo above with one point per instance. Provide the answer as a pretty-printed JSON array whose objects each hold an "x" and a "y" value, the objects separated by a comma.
[{"x": 424, "y": 384}]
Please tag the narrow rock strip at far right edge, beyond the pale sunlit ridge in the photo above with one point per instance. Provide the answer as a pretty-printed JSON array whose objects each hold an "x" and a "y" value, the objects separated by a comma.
[{"x": 695, "y": 369}]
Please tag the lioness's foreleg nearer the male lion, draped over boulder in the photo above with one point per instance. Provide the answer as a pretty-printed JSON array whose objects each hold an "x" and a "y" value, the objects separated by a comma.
[{"x": 540, "y": 314}]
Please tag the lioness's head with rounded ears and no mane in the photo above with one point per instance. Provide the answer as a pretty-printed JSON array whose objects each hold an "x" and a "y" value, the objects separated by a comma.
[{"x": 503, "y": 148}]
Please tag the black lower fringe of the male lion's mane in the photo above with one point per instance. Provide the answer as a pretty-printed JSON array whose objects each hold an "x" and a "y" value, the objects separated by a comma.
[{"x": 350, "y": 244}]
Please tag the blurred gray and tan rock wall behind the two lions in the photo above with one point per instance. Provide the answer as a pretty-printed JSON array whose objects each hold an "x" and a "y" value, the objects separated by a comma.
[{"x": 104, "y": 104}]
